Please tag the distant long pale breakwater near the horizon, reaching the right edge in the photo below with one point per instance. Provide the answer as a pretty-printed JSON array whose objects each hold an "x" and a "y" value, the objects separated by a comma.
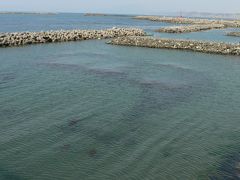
[{"x": 180, "y": 20}]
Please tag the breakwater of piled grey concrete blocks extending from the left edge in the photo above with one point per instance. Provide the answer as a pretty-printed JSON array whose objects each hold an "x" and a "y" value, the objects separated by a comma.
[{"x": 24, "y": 38}]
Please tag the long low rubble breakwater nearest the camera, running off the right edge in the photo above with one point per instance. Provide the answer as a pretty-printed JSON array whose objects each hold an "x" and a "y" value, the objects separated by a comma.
[{"x": 199, "y": 46}]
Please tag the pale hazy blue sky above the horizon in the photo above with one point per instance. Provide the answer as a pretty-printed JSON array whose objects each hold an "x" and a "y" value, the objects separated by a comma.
[{"x": 121, "y": 6}]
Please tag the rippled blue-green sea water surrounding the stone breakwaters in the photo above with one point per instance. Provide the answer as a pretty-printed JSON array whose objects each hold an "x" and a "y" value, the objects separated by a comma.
[{"x": 88, "y": 110}]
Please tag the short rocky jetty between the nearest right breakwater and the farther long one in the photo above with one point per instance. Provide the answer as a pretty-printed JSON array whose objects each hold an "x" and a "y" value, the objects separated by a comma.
[{"x": 190, "y": 28}]
